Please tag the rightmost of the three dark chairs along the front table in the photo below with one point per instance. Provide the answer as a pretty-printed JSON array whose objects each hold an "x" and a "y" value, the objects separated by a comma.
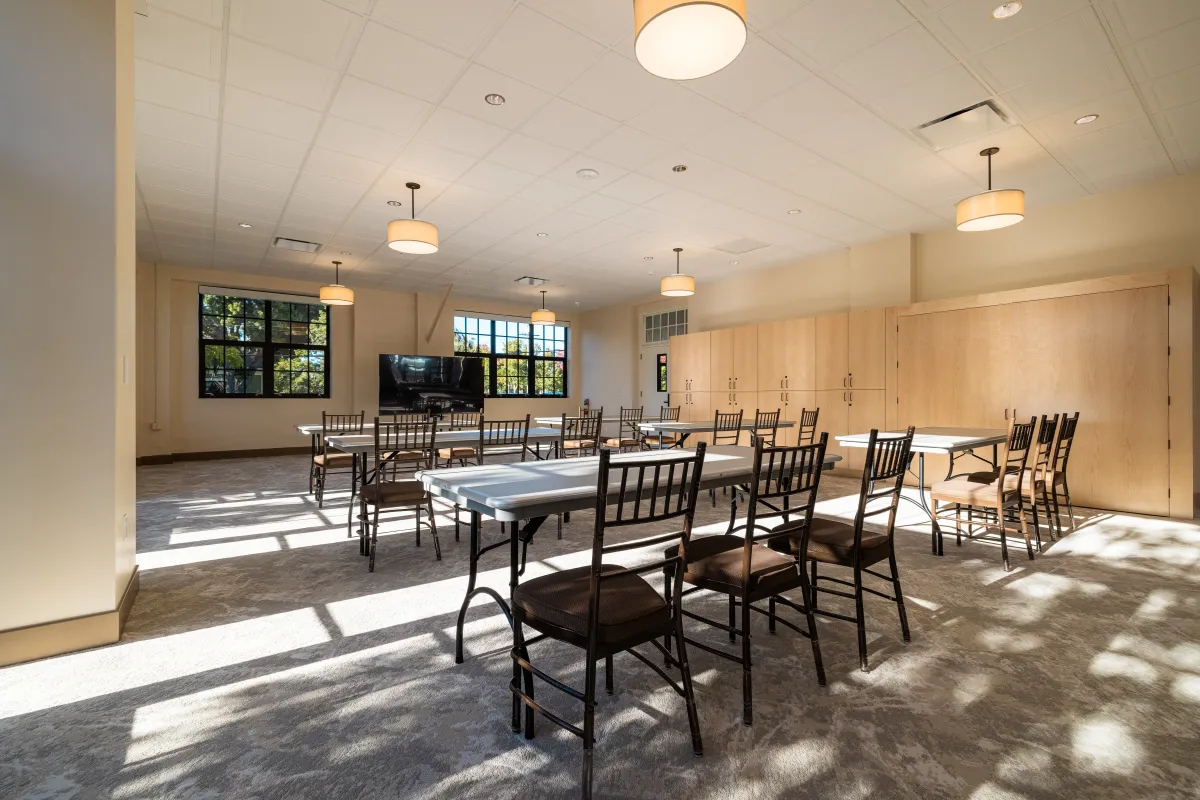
[{"x": 851, "y": 546}]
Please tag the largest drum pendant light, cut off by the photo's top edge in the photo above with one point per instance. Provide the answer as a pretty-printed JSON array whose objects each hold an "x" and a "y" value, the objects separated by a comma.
[{"x": 683, "y": 40}]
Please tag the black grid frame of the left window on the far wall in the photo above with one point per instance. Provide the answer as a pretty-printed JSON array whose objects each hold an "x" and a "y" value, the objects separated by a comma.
[{"x": 269, "y": 348}]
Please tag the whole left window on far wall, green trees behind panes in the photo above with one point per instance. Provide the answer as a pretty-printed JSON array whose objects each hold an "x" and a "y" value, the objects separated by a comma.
[{"x": 254, "y": 347}]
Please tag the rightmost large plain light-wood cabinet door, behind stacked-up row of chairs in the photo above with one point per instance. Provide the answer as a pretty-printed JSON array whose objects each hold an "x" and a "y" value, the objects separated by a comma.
[{"x": 1103, "y": 356}]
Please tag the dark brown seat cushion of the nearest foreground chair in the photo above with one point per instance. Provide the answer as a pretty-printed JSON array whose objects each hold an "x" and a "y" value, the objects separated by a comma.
[{"x": 629, "y": 606}]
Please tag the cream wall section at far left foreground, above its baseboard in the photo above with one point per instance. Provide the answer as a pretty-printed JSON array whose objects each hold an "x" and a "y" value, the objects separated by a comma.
[{"x": 67, "y": 334}]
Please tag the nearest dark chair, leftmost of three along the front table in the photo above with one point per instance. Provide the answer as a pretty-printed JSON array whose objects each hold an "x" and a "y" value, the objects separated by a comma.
[{"x": 607, "y": 609}]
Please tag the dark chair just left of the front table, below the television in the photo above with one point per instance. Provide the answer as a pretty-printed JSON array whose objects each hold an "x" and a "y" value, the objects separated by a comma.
[{"x": 411, "y": 444}]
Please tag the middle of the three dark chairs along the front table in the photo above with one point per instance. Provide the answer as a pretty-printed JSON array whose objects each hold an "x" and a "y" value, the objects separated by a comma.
[{"x": 782, "y": 497}]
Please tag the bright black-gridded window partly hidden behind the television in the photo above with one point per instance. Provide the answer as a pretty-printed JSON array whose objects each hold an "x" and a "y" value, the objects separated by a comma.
[{"x": 520, "y": 359}]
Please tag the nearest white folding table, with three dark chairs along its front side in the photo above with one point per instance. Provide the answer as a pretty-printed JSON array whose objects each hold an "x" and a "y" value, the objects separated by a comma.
[{"x": 527, "y": 494}]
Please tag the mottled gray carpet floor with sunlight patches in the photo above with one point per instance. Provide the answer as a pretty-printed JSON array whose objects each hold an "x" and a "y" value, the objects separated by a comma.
[{"x": 263, "y": 661}]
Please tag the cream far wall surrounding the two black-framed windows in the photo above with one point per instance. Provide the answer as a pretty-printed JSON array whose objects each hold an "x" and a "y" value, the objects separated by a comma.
[{"x": 173, "y": 419}]
